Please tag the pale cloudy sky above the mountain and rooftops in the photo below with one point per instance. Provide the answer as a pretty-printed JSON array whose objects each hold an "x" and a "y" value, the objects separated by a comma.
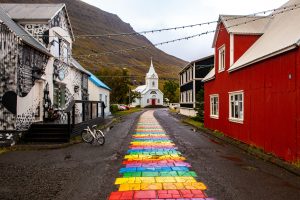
[{"x": 155, "y": 14}]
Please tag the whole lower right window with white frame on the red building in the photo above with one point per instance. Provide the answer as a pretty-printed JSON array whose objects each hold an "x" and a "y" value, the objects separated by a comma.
[{"x": 236, "y": 106}]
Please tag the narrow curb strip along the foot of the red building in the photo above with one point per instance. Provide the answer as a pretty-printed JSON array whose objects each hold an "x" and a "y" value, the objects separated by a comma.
[{"x": 247, "y": 148}]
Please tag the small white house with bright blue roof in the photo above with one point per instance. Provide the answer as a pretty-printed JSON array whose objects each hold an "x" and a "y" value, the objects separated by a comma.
[{"x": 99, "y": 91}]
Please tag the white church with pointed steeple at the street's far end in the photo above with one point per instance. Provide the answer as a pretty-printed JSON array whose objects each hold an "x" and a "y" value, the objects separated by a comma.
[{"x": 150, "y": 94}]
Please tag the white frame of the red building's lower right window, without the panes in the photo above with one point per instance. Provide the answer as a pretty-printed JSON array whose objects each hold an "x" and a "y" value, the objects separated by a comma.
[{"x": 241, "y": 114}]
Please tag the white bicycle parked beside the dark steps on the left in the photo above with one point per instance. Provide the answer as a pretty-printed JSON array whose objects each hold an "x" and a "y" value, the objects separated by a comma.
[{"x": 89, "y": 135}]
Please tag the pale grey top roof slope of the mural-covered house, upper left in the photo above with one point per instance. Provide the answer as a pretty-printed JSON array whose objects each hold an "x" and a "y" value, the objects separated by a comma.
[{"x": 32, "y": 11}]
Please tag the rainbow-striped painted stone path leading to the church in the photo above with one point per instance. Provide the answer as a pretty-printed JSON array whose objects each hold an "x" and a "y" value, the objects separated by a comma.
[{"x": 155, "y": 169}]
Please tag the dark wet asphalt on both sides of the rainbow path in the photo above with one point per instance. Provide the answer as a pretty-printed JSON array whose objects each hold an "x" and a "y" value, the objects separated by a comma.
[{"x": 86, "y": 171}]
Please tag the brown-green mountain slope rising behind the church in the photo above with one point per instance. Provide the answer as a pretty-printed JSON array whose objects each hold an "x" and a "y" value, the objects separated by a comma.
[{"x": 87, "y": 19}]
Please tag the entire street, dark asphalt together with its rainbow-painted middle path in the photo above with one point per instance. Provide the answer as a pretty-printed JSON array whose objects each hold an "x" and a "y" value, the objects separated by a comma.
[{"x": 96, "y": 172}]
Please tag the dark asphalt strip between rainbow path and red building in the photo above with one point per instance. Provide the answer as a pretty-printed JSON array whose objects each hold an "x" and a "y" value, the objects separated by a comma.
[{"x": 228, "y": 172}]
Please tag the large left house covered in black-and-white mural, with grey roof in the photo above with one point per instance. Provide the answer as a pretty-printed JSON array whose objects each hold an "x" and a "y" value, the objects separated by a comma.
[{"x": 39, "y": 77}]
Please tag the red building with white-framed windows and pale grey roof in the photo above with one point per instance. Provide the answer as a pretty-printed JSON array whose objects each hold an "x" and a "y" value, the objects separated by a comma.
[{"x": 253, "y": 93}]
